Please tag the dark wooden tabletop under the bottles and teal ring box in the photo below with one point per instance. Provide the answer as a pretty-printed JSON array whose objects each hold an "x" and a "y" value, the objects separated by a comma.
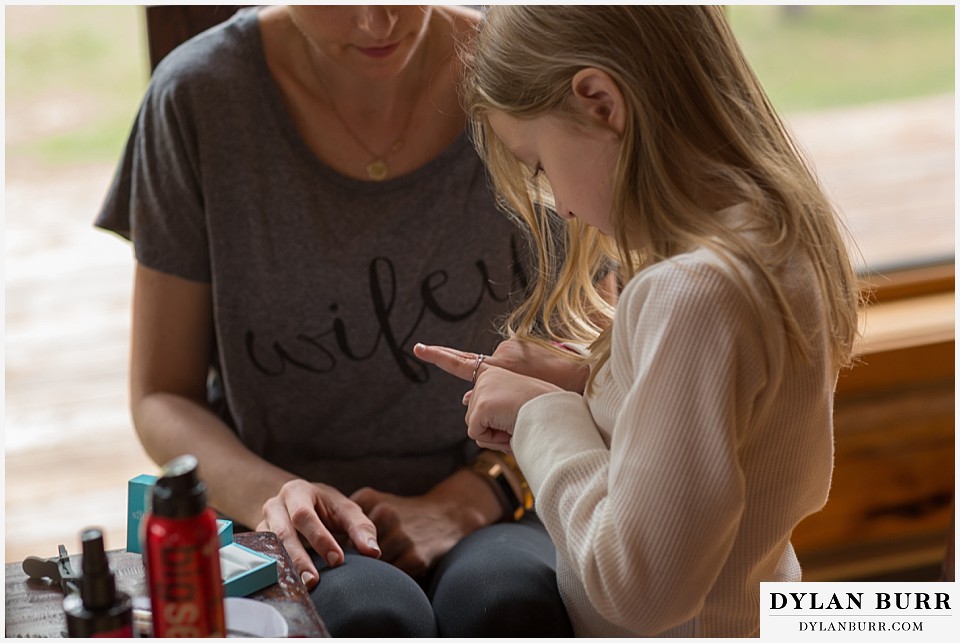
[{"x": 35, "y": 608}]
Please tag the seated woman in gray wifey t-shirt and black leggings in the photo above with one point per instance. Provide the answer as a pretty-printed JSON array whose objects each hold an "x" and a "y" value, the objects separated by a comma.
[{"x": 302, "y": 199}]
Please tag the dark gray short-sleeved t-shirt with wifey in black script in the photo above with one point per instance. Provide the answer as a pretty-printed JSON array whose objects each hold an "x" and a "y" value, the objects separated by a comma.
[{"x": 321, "y": 283}]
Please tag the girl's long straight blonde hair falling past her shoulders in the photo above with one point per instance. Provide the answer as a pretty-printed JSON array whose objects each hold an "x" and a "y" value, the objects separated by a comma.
[{"x": 696, "y": 119}]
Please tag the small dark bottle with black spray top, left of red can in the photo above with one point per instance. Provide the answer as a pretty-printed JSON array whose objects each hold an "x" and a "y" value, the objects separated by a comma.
[{"x": 99, "y": 610}]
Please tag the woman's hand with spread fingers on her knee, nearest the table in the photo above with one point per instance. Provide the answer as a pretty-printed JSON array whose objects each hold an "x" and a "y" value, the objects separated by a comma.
[{"x": 318, "y": 514}]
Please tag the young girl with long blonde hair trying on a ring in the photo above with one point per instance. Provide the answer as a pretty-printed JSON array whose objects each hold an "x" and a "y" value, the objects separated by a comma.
[{"x": 672, "y": 482}]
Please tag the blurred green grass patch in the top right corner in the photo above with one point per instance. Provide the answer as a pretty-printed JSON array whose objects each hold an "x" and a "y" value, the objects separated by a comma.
[{"x": 812, "y": 57}]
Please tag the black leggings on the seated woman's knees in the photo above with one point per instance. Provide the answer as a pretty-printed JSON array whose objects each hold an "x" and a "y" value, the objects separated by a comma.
[{"x": 500, "y": 581}]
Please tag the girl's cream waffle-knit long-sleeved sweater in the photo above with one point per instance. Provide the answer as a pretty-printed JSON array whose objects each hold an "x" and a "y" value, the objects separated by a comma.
[{"x": 672, "y": 491}]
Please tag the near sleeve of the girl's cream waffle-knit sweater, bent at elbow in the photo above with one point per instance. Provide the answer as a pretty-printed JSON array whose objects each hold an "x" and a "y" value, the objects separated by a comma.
[{"x": 647, "y": 525}]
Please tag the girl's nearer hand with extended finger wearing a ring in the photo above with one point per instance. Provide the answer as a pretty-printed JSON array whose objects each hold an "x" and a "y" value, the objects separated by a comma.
[{"x": 498, "y": 394}]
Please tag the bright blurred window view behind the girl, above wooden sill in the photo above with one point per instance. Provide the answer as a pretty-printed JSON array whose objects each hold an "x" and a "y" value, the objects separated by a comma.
[{"x": 868, "y": 93}]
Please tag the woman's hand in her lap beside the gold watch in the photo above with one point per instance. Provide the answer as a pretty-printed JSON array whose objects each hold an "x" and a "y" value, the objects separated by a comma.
[{"x": 416, "y": 531}]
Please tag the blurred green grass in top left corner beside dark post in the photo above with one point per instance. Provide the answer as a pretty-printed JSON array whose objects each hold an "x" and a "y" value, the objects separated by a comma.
[{"x": 74, "y": 78}]
